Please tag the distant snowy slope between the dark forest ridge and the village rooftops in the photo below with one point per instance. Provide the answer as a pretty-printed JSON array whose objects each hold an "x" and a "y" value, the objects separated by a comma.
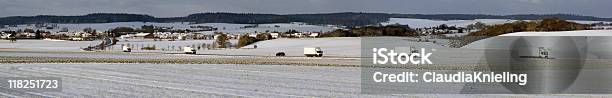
[{"x": 222, "y": 27}]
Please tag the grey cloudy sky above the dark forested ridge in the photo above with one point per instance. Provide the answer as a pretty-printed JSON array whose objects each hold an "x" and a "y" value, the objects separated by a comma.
[{"x": 172, "y": 8}]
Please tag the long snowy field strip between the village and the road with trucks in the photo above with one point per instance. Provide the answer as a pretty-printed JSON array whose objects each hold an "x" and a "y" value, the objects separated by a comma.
[{"x": 332, "y": 47}]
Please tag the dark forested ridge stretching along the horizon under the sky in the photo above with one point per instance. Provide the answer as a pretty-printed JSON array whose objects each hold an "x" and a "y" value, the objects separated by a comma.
[{"x": 347, "y": 19}]
